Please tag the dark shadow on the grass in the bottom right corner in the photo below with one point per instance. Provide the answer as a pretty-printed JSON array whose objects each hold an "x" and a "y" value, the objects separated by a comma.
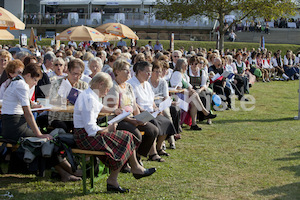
[{"x": 289, "y": 191}]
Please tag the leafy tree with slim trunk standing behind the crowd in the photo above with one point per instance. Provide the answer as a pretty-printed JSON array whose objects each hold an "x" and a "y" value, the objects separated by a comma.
[{"x": 181, "y": 10}]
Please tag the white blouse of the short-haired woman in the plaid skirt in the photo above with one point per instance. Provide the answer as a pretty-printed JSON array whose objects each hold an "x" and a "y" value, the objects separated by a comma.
[{"x": 86, "y": 110}]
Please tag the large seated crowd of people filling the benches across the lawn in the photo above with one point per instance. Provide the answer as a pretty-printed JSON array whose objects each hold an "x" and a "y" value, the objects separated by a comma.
[{"x": 133, "y": 79}]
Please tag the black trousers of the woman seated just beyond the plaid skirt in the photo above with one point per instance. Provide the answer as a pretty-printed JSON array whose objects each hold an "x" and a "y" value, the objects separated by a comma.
[{"x": 150, "y": 133}]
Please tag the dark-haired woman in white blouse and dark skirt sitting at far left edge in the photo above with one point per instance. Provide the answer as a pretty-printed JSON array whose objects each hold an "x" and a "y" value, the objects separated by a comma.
[{"x": 17, "y": 116}]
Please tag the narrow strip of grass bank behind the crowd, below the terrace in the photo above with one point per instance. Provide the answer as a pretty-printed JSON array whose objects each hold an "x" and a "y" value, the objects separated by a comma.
[{"x": 187, "y": 44}]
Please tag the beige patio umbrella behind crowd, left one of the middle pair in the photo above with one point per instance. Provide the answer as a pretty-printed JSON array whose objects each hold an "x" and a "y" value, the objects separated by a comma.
[{"x": 80, "y": 33}]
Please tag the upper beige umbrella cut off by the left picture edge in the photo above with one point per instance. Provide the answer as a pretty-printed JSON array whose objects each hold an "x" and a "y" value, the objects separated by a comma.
[{"x": 7, "y": 19}]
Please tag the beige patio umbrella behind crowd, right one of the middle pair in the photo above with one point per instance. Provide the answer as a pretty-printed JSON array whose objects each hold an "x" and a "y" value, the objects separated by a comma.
[{"x": 117, "y": 29}]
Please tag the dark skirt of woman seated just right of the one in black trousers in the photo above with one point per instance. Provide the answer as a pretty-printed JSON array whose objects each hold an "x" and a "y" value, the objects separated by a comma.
[{"x": 164, "y": 125}]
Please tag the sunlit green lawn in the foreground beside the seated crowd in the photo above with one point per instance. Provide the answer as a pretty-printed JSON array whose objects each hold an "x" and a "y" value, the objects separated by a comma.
[{"x": 242, "y": 155}]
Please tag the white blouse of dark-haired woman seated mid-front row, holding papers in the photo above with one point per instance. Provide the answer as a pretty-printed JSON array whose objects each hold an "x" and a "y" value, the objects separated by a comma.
[{"x": 144, "y": 95}]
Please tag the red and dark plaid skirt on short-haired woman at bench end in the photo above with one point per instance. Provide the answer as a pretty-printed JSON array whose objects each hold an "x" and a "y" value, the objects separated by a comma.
[{"x": 118, "y": 146}]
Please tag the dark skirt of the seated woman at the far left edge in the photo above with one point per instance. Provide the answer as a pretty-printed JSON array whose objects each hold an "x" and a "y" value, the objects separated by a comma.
[{"x": 14, "y": 127}]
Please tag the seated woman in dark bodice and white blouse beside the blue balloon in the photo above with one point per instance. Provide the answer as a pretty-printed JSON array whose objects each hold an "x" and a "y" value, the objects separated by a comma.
[{"x": 199, "y": 81}]
